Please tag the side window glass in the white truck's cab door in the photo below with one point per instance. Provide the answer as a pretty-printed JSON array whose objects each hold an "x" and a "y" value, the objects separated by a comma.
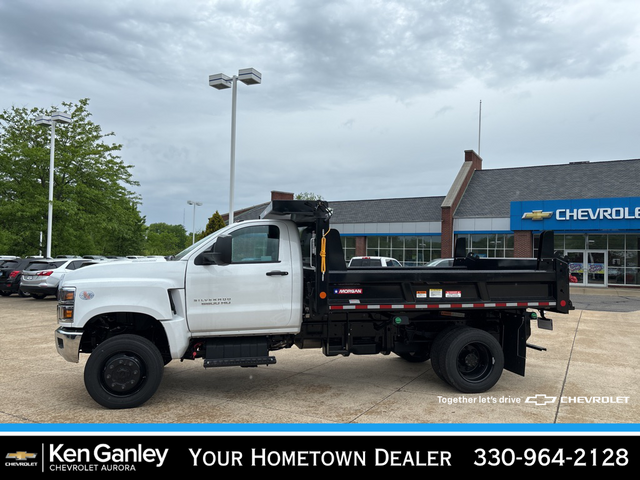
[{"x": 260, "y": 244}]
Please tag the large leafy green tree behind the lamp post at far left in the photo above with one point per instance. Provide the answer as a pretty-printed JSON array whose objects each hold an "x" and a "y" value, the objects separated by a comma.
[{"x": 94, "y": 210}]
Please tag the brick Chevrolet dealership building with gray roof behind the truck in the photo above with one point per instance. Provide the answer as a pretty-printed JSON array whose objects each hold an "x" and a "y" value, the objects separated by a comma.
[{"x": 593, "y": 207}]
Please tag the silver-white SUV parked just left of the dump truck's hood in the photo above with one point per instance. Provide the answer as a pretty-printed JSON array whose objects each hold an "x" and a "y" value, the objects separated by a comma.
[{"x": 44, "y": 281}]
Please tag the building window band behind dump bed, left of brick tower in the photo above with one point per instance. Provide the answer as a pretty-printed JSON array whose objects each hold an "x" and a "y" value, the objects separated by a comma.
[{"x": 410, "y": 250}]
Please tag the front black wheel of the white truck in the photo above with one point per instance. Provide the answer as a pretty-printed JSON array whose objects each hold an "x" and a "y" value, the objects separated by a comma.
[{"x": 123, "y": 372}]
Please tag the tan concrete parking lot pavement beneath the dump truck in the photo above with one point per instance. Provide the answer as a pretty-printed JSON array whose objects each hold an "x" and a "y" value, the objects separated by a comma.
[{"x": 587, "y": 375}]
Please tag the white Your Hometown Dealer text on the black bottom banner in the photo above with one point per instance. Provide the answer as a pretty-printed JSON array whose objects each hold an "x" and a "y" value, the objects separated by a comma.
[{"x": 260, "y": 457}]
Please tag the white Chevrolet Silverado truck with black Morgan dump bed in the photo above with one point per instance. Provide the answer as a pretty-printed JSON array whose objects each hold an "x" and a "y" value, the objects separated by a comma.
[{"x": 259, "y": 286}]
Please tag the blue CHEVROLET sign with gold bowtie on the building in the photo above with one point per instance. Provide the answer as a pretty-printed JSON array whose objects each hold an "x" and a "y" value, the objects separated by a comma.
[{"x": 581, "y": 214}]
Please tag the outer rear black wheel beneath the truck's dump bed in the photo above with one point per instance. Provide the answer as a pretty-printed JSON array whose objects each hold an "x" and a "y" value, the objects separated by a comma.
[{"x": 471, "y": 360}]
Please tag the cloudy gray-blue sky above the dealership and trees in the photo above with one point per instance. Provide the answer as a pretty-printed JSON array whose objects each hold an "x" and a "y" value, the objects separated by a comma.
[{"x": 359, "y": 99}]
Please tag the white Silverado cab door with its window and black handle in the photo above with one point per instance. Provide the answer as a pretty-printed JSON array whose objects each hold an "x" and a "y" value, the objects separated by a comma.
[{"x": 251, "y": 294}]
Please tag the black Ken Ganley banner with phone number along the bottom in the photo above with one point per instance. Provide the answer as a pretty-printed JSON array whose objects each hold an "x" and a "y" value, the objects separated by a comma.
[{"x": 192, "y": 453}]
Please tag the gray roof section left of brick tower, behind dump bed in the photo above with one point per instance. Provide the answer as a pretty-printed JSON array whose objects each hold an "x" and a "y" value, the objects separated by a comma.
[{"x": 387, "y": 210}]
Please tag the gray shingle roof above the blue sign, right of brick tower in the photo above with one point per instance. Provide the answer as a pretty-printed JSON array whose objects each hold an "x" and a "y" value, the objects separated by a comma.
[{"x": 490, "y": 192}]
